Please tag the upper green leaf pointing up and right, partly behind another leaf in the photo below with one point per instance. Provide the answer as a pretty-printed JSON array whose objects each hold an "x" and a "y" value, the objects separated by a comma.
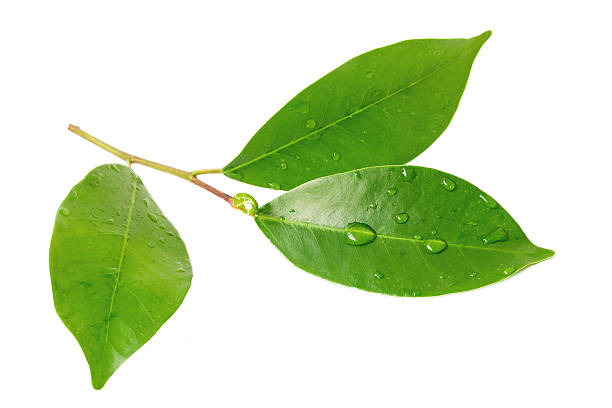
[{"x": 383, "y": 107}]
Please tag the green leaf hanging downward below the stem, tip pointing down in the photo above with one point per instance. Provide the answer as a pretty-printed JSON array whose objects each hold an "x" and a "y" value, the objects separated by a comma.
[{"x": 119, "y": 269}]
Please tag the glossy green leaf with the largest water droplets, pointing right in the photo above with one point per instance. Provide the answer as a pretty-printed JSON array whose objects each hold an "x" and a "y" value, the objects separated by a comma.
[{"x": 399, "y": 230}]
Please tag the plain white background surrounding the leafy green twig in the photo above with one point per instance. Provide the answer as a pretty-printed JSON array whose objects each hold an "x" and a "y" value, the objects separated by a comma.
[{"x": 188, "y": 83}]
